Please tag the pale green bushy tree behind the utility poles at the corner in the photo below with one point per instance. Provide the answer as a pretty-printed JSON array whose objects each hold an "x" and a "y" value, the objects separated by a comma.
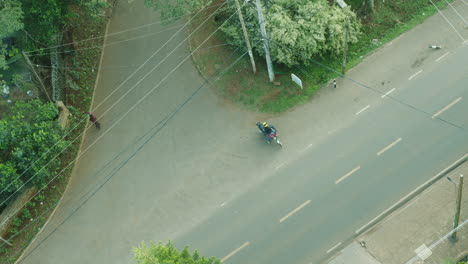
[{"x": 298, "y": 28}]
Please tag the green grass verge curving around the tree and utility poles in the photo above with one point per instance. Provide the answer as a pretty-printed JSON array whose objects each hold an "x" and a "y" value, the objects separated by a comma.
[{"x": 254, "y": 91}]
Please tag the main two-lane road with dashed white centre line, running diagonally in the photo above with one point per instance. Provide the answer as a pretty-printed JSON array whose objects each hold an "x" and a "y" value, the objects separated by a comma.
[{"x": 338, "y": 208}]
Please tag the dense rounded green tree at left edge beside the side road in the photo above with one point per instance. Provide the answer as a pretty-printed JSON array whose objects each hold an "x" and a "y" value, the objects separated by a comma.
[{"x": 28, "y": 132}]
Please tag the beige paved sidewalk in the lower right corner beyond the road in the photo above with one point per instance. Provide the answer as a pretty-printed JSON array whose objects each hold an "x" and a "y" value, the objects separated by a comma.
[{"x": 424, "y": 221}]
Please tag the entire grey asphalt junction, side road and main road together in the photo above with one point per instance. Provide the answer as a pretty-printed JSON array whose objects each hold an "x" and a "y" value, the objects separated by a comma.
[{"x": 208, "y": 180}]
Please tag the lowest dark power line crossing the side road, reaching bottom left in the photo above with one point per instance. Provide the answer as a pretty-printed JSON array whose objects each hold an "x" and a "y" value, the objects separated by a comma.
[{"x": 209, "y": 82}]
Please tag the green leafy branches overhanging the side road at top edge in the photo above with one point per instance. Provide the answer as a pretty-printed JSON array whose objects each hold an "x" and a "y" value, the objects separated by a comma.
[{"x": 176, "y": 8}]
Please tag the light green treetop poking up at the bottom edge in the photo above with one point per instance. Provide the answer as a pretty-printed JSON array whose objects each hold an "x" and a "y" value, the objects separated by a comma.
[{"x": 168, "y": 254}]
